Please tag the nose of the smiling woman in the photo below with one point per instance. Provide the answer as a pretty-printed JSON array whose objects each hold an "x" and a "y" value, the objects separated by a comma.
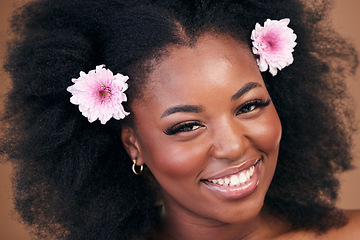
[{"x": 229, "y": 140}]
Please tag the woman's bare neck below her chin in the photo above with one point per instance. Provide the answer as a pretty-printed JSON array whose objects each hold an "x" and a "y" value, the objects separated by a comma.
[{"x": 184, "y": 226}]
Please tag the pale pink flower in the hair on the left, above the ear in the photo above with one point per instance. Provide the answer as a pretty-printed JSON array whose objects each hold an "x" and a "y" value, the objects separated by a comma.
[{"x": 99, "y": 94}]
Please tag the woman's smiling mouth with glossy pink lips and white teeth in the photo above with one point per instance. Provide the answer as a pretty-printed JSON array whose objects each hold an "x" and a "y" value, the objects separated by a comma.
[{"x": 236, "y": 183}]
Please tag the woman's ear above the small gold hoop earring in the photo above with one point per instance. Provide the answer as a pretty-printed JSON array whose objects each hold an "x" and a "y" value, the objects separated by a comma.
[{"x": 131, "y": 145}]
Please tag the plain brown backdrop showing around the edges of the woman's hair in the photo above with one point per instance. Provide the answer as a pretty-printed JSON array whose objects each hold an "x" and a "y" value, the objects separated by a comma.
[{"x": 345, "y": 18}]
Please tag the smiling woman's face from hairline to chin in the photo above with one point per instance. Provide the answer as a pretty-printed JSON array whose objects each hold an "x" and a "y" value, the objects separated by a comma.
[{"x": 207, "y": 130}]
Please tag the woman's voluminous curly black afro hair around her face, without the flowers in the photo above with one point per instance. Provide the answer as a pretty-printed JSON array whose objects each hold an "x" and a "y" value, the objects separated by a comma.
[{"x": 73, "y": 179}]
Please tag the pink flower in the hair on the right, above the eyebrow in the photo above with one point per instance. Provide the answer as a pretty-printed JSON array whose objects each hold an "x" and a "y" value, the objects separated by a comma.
[{"x": 274, "y": 43}]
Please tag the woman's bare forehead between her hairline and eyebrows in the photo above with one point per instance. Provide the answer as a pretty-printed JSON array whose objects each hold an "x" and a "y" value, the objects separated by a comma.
[{"x": 214, "y": 62}]
